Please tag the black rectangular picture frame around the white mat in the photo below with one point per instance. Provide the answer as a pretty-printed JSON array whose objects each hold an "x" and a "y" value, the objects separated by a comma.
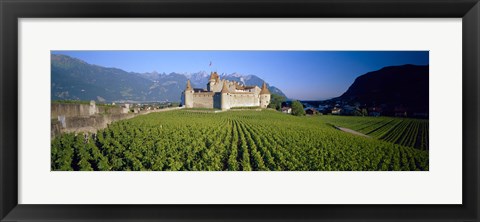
[{"x": 11, "y": 11}]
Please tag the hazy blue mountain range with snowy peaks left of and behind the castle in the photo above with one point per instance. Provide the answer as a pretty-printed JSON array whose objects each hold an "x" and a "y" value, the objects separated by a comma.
[{"x": 74, "y": 79}]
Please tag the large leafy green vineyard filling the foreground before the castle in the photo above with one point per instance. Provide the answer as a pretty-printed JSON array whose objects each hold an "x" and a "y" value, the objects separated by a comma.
[{"x": 236, "y": 141}]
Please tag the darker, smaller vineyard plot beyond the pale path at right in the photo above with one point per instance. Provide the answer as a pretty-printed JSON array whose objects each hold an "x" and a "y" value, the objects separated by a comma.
[{"x": 403, "y": 131}]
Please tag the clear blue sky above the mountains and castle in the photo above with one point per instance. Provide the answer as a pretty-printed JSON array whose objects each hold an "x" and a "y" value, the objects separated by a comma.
[{"x": 307, "y": 75}]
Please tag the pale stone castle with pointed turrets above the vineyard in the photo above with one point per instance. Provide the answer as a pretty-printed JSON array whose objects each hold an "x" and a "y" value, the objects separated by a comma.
[{"x": 224, "y": 94}]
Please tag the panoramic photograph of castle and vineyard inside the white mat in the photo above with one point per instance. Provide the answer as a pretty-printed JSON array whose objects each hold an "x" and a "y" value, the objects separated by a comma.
[{"x": 230, "y": 110}]
